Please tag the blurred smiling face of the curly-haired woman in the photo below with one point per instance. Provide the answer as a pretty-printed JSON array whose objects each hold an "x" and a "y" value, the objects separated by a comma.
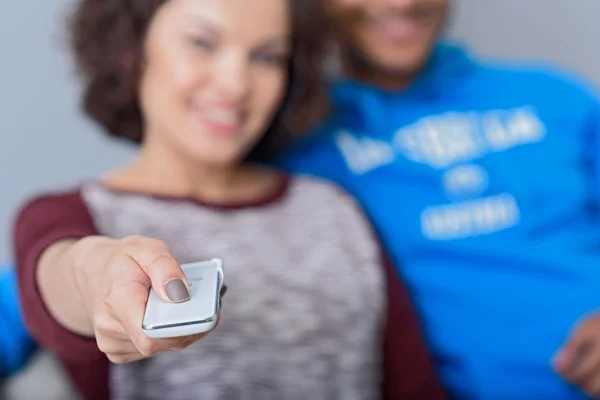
[{"x": 214, "y": 75}]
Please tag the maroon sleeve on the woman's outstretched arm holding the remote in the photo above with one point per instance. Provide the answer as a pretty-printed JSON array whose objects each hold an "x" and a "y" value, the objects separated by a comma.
[{"x": 41, "y": 223}]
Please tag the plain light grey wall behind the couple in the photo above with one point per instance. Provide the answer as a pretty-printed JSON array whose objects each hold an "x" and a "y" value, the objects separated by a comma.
[{"x": 45, "y": 143}]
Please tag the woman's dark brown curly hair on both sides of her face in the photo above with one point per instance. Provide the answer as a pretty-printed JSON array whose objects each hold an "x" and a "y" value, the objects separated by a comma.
[{"x": 108, "y": 40}]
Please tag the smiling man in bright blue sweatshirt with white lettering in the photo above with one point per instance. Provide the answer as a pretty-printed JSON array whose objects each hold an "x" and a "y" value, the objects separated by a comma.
[{"x": 483, "y": 184}]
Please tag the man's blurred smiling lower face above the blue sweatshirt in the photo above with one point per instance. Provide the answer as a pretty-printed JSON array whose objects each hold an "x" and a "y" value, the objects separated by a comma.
[{"x": 392, "y": 36}]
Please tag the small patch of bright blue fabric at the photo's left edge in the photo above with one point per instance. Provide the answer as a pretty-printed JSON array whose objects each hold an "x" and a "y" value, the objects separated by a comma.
[{"x": 15, "y": 343}]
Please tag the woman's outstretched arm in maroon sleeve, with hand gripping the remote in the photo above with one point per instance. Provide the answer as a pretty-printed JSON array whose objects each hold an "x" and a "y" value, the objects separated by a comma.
[{"x": 77, "y": 285}]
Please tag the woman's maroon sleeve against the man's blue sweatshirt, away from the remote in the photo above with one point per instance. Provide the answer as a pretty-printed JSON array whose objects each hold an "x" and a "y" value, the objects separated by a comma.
[{"x": 409, "y": 371}]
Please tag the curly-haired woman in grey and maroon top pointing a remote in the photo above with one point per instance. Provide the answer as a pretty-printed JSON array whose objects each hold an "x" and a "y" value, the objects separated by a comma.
[{"x": 202, "y": 86}]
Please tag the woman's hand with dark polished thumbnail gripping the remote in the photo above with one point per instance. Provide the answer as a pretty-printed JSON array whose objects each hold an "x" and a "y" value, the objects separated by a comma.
[{"x": 113, "y": 278}]
